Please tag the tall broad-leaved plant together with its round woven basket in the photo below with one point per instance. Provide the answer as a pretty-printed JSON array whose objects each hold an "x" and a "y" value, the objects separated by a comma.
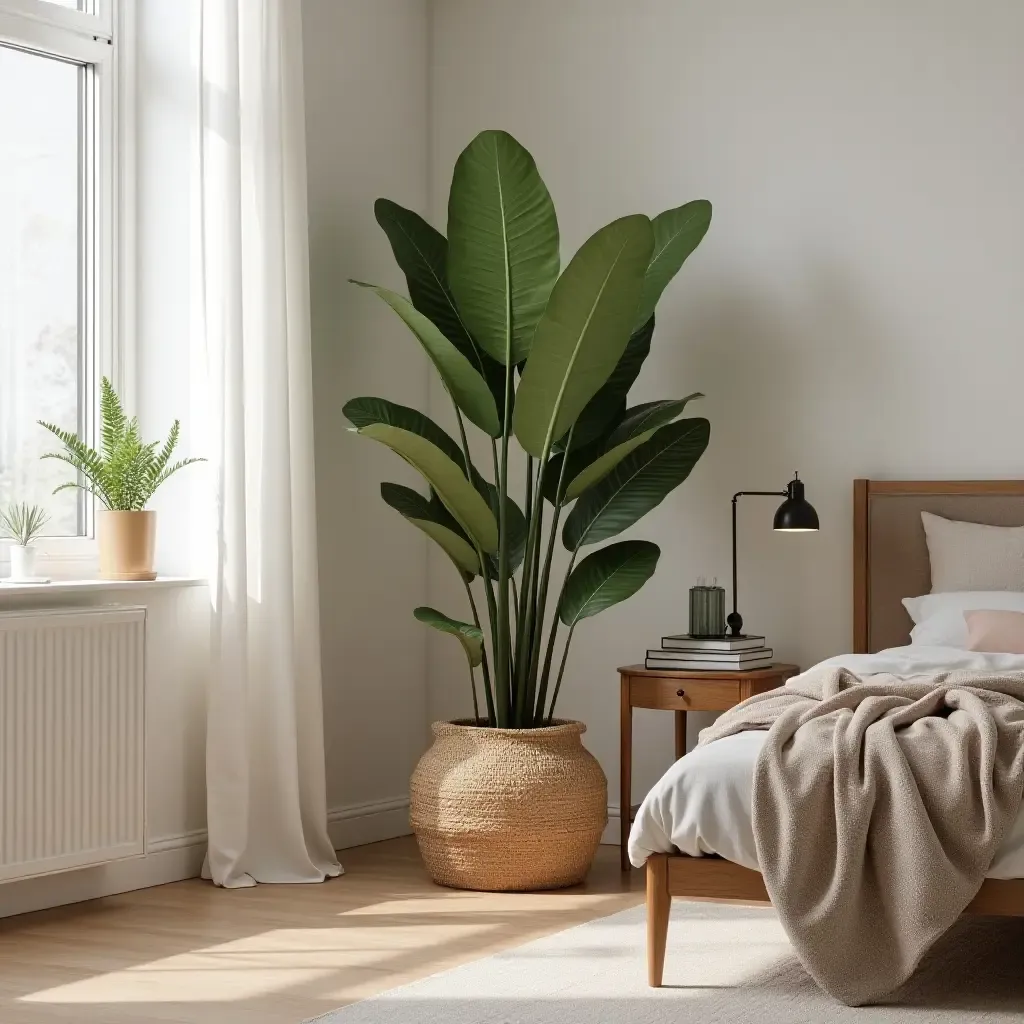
[{"x": 510, "y": 799}]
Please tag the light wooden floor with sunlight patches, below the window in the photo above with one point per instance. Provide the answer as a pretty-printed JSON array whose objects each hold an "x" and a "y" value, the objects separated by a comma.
[{"x": 274, "y": 955}]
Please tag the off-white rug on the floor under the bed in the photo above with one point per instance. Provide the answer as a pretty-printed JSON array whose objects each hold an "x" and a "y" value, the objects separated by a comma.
[{"x": 727, "y": 965}]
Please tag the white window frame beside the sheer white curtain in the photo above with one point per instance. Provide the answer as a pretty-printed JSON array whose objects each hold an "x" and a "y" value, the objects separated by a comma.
[{"x": 103, "y": 38}]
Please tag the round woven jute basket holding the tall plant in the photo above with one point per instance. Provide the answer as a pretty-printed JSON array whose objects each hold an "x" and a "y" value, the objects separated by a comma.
[{"x": 508, "y": 810}]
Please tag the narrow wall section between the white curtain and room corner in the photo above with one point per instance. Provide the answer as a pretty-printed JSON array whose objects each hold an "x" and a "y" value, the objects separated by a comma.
[{"x": 366, "y": 78}]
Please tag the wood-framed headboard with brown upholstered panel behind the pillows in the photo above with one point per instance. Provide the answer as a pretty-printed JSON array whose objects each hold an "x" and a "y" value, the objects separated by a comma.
[{"x": 890, "y": 557}]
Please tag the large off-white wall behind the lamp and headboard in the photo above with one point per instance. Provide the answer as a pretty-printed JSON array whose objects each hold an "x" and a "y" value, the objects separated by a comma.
[{"x": 857, "y": 308}]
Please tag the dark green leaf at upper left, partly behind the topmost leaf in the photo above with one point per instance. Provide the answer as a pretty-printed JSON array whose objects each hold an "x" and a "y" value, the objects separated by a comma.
[{"x": 421, "y": 252}]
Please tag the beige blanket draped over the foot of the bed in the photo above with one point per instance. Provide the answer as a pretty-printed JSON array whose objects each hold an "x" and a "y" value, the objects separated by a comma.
[{"x": 879, "y": 805}]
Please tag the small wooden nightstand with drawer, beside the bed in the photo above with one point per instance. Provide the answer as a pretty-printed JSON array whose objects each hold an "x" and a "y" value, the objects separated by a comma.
[{"x": 663, "y": 690}]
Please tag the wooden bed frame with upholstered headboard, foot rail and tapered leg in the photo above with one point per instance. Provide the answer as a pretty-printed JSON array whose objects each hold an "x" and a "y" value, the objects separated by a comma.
[{"x": 890, "y": 563}]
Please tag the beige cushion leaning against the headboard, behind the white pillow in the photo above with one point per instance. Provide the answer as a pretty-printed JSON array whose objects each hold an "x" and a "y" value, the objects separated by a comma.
[{"x": 971, "y": 557}]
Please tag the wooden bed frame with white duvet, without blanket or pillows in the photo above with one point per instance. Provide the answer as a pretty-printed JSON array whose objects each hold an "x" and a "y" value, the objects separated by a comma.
[{"x": 890, "y": 564}]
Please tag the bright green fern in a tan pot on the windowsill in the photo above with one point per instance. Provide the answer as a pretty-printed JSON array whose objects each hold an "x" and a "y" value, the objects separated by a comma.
[{"x": 123, "y": 476}]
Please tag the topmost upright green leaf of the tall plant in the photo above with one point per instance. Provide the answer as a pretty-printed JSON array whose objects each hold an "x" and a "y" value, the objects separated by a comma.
[{"x": 503, "y": 245}]
